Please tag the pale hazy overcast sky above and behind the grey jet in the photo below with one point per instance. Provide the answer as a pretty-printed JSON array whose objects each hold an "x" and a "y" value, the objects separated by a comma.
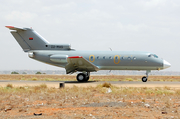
[{"x": 122, "y": 25}]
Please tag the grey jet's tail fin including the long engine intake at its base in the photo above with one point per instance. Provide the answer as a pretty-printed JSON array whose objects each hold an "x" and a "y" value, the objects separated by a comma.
[{"x": 29, "y": 39}]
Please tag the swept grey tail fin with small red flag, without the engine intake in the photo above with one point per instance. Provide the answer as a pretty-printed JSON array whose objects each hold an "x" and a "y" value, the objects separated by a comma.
[{"x": 28, "y": 39}]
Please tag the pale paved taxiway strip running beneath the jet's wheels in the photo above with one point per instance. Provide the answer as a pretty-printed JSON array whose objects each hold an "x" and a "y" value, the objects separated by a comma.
[{"x": 55, "y": 84}]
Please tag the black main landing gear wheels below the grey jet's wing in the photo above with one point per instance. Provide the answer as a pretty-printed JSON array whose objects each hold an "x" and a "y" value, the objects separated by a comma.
[{"x": 83, "y": 77}]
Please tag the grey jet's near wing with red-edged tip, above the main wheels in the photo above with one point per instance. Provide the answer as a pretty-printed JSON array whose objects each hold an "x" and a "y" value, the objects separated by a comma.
[{"x": 78, "y": 63}]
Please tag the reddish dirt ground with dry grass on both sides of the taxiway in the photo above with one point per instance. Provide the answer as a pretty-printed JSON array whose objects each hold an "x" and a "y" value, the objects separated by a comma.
[{"x": 101, "y": 102}]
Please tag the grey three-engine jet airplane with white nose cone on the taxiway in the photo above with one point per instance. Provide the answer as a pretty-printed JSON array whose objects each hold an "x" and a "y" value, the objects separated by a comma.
[{"x": 61, "y": 55}]
